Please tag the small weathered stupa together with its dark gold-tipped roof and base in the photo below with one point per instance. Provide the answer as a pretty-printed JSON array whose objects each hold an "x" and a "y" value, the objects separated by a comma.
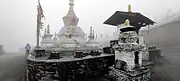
[{"x": 129, "y": 47}]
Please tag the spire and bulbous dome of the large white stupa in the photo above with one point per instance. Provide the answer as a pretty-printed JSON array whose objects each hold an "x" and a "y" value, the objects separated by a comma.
[{"x": 70, "y": 19}]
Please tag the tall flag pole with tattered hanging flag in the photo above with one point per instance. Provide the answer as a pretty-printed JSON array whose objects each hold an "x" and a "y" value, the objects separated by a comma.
[{"x": 40, "y": 15}]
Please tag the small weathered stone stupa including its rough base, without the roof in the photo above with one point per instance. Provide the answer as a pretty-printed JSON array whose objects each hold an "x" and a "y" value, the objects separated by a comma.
[{"x": 128, "y": 56}]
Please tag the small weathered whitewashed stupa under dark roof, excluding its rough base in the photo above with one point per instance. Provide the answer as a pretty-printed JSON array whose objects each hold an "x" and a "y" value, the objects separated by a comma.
[{"x": 128, "y": 50}]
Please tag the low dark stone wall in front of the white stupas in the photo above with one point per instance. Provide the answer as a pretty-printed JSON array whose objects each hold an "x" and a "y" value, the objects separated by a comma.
[{"x": 79, "y": 70}]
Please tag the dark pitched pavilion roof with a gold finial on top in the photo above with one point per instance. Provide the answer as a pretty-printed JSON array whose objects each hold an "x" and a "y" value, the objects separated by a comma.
[{"x": 136, "y": 19}]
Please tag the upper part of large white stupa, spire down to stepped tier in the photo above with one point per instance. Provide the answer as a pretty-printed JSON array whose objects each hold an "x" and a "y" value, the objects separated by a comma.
[{"x": 70, "y": 26}]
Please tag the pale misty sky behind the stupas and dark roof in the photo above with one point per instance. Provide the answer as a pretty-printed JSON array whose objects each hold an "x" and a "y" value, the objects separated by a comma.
[{"x": 18, "y": 17}]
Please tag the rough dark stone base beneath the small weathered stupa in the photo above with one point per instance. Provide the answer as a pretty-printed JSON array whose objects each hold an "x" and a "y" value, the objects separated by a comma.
[{"x": 140, "y": 75}]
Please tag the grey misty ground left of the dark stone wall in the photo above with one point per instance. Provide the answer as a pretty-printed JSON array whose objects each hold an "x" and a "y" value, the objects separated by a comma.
[{"x": 12, "y": 67}]
